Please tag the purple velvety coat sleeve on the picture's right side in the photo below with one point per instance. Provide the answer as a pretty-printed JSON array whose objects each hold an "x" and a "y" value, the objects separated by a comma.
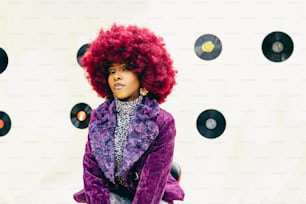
[{"x": 157, "y": 166}]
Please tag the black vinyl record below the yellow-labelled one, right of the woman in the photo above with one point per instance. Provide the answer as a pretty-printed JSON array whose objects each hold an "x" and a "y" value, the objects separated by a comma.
[{"x": 211, "y": 123}]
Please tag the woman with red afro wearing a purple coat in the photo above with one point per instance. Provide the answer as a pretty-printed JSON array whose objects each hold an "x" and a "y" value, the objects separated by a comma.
[{"x": 130, "y": 145}]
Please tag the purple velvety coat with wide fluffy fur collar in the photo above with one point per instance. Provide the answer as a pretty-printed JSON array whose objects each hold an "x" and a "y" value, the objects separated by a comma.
[{"x": 147, "y": 157}]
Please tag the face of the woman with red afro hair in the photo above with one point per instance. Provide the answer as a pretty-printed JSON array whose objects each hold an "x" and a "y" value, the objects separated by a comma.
[{"x": 123, "y": 82}]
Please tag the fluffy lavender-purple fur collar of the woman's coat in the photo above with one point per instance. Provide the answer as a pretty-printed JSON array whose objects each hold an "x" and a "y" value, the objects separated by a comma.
[{"x": 142, "y": 132}]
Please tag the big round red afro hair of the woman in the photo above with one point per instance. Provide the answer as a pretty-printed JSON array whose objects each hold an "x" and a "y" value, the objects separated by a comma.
[{"x": 141, "y": 49}]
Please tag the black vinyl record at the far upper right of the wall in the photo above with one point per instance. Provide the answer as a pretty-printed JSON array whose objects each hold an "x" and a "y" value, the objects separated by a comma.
[{"x": 277, "y": 46}]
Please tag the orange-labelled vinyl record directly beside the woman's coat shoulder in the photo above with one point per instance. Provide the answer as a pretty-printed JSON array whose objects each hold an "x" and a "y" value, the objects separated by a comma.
[{"x": 80, "y": 115}]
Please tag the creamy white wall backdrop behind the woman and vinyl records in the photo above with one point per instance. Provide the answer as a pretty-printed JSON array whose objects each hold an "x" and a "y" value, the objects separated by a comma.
[{"x": 260, "y": 158}]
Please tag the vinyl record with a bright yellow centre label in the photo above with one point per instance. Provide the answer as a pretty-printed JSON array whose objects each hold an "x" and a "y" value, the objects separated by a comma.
[{"x": 208, "y": 47}]
